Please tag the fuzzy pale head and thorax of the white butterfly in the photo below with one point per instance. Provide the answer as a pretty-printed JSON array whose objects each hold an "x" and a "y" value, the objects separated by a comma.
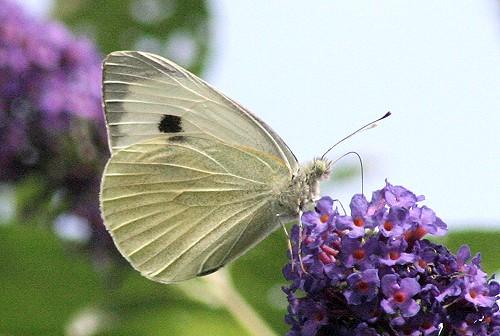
[{"x": 304, "y": 186}]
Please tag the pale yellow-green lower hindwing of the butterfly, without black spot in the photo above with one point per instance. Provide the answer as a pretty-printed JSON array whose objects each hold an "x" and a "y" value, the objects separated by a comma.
[{"x": 182, "y": 206}]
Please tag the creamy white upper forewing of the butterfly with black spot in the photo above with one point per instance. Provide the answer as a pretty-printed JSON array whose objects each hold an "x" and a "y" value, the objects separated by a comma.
[{"x": 146, "y": 95}]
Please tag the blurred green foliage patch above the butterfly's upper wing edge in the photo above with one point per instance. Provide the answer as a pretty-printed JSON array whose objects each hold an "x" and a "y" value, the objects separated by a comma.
[{"x": 179, "y": 29}]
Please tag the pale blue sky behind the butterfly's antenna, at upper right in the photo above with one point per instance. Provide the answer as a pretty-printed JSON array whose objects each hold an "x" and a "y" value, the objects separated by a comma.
[{"x": 317, "y": 70}]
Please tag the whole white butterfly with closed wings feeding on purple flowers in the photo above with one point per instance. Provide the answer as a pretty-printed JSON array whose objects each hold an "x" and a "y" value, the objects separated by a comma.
[{"x": 194, "y": 180}]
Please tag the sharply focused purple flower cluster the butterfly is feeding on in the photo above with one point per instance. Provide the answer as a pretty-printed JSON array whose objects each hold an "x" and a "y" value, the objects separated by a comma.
[{"x": 372, "y": 273}]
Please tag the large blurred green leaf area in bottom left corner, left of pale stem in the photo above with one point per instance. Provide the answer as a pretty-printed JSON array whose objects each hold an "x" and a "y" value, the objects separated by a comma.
[{"x": 45, "y": 287}]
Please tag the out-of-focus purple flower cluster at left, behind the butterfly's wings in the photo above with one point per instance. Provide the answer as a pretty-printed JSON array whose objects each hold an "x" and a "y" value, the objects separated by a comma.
[{"x": 51, "y": 120}]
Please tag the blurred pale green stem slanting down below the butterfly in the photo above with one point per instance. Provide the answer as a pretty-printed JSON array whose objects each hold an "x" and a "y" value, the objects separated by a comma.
[{"x": 221, "y": 286}]
